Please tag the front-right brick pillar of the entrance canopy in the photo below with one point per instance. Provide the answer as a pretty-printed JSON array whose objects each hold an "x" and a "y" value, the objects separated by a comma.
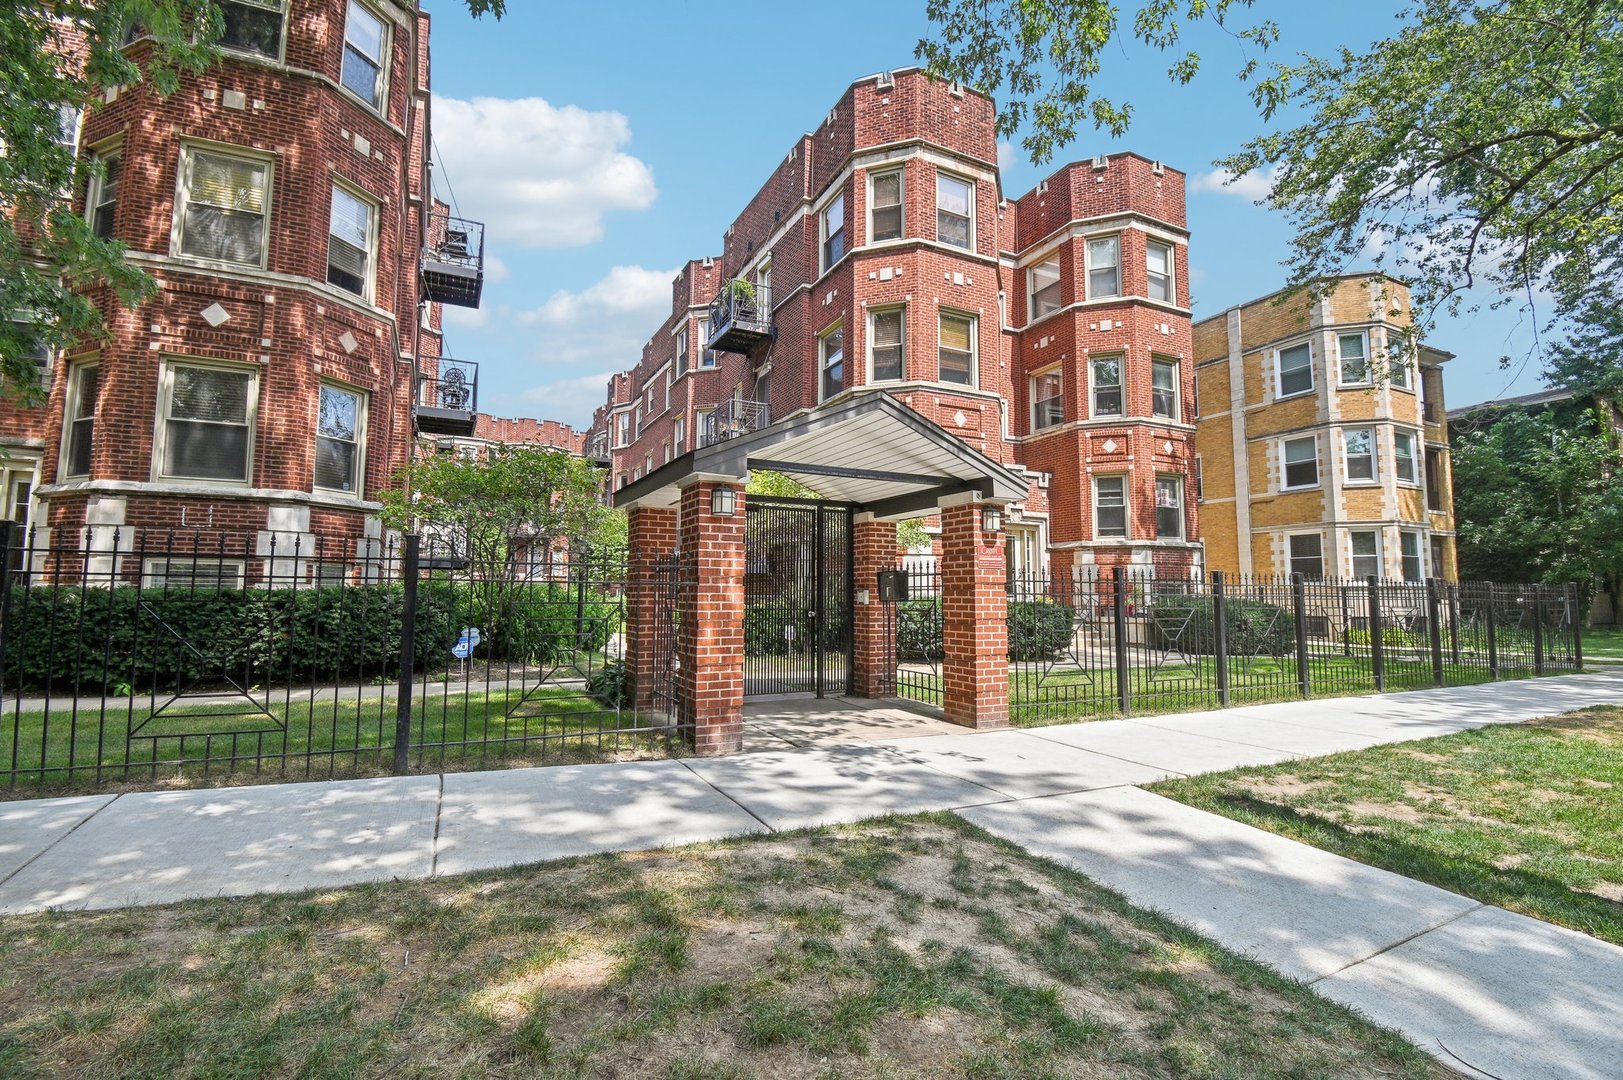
[{"x": 975, "y": 621}]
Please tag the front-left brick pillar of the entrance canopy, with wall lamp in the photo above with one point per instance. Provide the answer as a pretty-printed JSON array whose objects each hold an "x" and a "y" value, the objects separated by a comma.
[{"x": 710, "y": 647}]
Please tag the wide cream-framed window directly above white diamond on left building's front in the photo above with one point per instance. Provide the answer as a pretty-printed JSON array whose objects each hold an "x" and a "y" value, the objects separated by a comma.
[{"x": 225, "y": 207}]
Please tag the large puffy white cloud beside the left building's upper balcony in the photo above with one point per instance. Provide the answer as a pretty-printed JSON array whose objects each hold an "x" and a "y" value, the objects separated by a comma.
[{"x": 538, "y": 175}]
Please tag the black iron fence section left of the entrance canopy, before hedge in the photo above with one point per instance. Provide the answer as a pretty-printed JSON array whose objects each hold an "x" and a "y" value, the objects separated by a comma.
[{"x": 139, "y": 655}]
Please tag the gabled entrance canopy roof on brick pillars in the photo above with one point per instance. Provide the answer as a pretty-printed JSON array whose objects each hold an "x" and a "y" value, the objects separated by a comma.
[{"x": 872, "y": 452}]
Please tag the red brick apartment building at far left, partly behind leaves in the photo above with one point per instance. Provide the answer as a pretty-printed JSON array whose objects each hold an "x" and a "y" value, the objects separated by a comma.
[{"x": 291, "y": 360}]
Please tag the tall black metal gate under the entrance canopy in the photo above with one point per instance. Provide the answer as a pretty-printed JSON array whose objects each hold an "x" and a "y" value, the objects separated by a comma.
[{"x": 796, "y": 597}]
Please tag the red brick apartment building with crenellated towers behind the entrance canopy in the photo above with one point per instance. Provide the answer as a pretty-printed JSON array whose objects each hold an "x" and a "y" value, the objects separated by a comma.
[{"x": 1049, "y": 332}]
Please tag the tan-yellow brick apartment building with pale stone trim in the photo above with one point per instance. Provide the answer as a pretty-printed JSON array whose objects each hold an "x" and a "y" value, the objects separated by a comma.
[{"x": 1324, "y": 447}]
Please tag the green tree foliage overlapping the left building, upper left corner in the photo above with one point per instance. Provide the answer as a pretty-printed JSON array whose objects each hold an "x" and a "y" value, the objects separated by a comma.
[{"x": 50, "y": 254}]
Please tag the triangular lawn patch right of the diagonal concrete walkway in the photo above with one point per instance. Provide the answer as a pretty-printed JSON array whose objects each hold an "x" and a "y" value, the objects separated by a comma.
[{"x": 1526, "y": 816}]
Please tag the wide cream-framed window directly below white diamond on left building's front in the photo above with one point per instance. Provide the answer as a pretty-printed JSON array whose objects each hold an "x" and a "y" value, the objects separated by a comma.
[{"x": 207, "y": 423}]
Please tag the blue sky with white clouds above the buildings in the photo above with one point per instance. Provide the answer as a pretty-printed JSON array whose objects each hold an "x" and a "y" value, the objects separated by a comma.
[{"x": 606, "y": 145}]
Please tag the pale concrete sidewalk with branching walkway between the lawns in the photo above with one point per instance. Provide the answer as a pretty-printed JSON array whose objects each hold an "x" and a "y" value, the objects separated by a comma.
[{"x": 1487, "y": 991}]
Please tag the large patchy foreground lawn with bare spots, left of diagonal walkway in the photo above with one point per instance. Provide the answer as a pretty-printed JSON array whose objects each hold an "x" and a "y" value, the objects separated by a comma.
[{"x": 898, "y": 949}]
